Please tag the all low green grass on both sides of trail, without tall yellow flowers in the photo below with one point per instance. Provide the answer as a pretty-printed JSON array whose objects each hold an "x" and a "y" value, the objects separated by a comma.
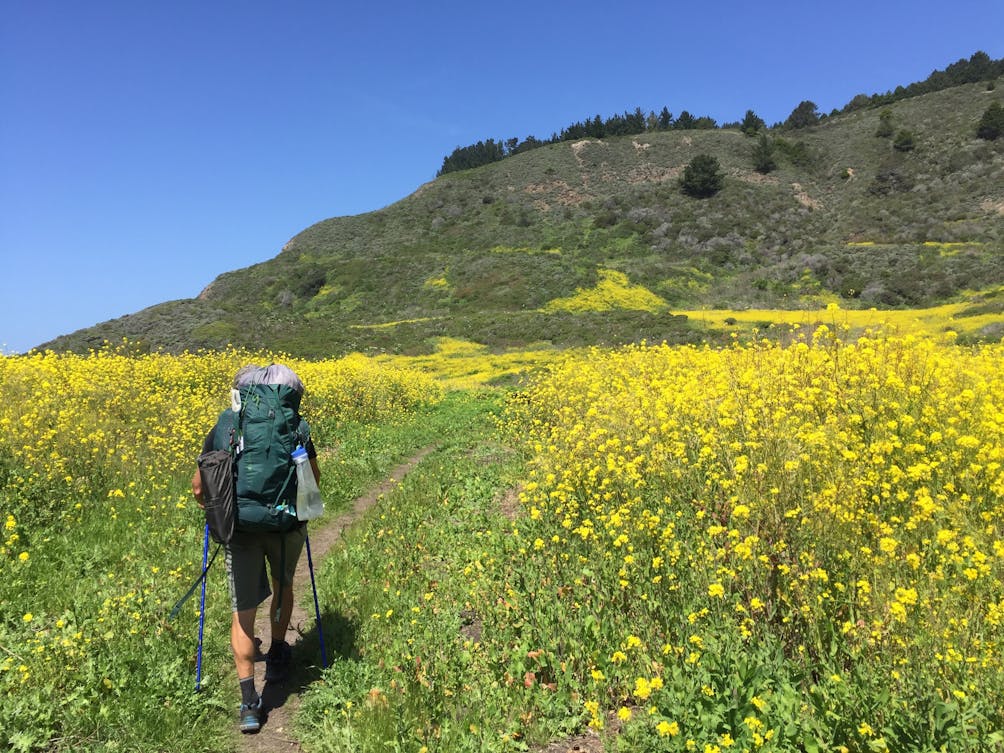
[{"x": 446, "y": 627}]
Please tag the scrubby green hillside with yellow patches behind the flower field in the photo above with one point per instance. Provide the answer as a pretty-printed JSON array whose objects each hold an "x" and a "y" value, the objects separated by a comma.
[{"x": 530, "y": 249}]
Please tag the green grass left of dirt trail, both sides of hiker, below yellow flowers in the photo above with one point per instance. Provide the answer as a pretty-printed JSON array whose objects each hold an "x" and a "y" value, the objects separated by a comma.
[{"x": 90, "y": 660}]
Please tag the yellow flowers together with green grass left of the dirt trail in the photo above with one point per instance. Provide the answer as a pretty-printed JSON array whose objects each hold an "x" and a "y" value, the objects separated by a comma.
[{"x": 101, "y": 536}]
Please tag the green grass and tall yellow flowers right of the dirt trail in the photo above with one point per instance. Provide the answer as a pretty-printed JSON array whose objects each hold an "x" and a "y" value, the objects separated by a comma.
[{"x": 754, "y": 550}]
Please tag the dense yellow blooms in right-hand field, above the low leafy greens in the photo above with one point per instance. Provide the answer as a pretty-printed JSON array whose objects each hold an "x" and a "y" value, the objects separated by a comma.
[{"x": 823, "y": 492}]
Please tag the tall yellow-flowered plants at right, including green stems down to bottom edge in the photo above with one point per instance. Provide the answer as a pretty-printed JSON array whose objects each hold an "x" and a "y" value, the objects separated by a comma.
[{"x": 776, "y": 549}]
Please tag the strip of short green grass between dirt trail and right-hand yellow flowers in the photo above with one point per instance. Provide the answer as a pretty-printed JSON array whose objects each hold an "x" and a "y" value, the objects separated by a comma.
[{"x": 411, "y": 591}]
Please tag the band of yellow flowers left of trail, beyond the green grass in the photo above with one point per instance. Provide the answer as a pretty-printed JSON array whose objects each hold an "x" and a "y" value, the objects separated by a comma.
[{"x": 76, "y": 427}]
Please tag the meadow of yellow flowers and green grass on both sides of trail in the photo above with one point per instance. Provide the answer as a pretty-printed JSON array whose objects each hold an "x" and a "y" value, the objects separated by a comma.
[{"x": 755, "y": 549}]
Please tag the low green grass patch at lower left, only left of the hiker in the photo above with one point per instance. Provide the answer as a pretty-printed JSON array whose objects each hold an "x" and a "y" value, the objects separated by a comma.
[{"x": 93, "y": 662}]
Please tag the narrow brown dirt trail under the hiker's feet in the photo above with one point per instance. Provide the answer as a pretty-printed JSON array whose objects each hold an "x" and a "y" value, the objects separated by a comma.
[{"x": 281, "y": 701}]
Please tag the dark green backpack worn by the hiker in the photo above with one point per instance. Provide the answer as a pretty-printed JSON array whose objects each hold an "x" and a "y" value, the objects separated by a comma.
[{"x": 262, "y": 436}]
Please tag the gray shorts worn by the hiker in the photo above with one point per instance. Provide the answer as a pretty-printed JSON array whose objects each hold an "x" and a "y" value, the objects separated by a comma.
[{"x": 246, "y": 556}]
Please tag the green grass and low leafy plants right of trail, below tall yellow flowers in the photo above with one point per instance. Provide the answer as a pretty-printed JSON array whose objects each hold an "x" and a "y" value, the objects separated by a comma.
[{"x": 463, "y": 630}]
